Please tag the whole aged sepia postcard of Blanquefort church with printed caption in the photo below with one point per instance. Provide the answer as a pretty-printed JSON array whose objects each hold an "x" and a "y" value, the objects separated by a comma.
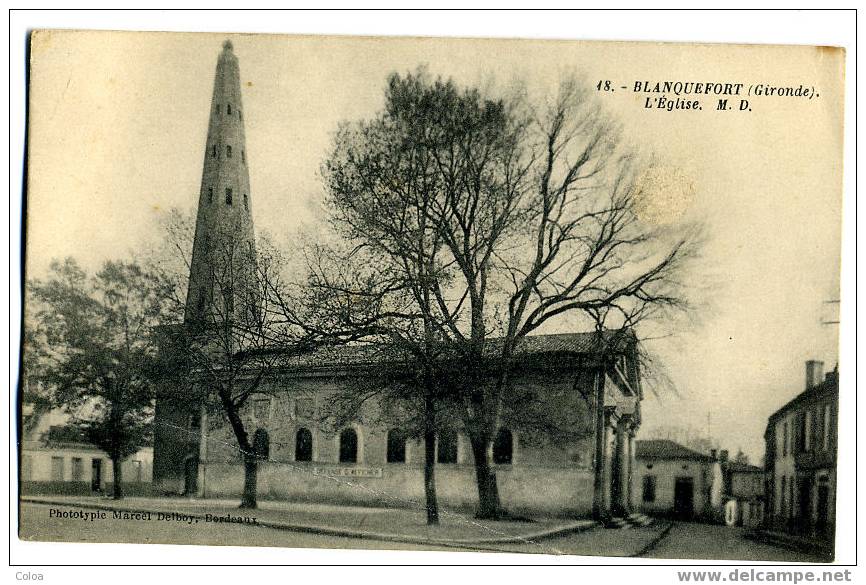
[{"x": 554, "y": 297}]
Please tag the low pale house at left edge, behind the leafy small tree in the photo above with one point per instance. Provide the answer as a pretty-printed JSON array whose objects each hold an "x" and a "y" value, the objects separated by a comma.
[{"x": 57, "y": 459}]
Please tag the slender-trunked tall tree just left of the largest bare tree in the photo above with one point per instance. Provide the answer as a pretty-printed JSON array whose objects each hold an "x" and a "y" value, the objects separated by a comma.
[{"x": 379, "y": 289}]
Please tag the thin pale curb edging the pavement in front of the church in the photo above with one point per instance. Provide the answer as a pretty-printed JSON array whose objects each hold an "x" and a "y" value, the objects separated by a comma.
[{"x": 574, "y": 527}]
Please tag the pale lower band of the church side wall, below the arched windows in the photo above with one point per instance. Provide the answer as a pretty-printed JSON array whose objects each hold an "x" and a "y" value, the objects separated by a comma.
[{"x": 540, "y": 490}]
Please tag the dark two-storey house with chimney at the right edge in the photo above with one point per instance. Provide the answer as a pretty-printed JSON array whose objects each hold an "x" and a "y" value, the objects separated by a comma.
[{"x": 800, "y": 460}]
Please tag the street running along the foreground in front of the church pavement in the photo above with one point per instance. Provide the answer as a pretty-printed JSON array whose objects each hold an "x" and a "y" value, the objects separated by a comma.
[{"x": 682, "y": 541}]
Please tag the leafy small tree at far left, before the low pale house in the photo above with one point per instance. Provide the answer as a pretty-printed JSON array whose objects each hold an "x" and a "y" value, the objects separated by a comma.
[{"x": 100, "y": 351}]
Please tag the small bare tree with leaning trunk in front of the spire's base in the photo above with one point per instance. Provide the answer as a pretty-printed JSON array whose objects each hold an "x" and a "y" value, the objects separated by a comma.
[{"x": 230, "y": 345}]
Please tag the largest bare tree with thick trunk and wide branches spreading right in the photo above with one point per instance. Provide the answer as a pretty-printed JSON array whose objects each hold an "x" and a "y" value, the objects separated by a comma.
[{"x": 534, "y": 214}]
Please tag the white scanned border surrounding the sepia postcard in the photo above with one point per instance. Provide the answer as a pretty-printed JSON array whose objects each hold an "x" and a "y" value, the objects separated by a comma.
[{"x": 813, "y": 28}]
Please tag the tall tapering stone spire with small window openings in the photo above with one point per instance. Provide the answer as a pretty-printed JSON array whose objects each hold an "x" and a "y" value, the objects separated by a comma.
[{"x": 224, "y": 248}]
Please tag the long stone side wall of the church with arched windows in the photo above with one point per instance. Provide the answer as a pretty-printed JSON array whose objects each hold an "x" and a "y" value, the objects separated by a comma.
[{"x": 547, "y": 474}]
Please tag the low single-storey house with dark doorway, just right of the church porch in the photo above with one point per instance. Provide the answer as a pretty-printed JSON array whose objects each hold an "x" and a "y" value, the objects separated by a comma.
[{"x": 673, "y": 480}]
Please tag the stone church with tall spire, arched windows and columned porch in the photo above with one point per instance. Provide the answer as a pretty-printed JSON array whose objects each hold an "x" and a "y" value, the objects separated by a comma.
[{"x": 589, "y": 380}]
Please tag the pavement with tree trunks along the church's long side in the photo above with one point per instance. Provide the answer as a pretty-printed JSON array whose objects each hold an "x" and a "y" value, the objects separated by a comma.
[{"x": 381, "y": 524}]
